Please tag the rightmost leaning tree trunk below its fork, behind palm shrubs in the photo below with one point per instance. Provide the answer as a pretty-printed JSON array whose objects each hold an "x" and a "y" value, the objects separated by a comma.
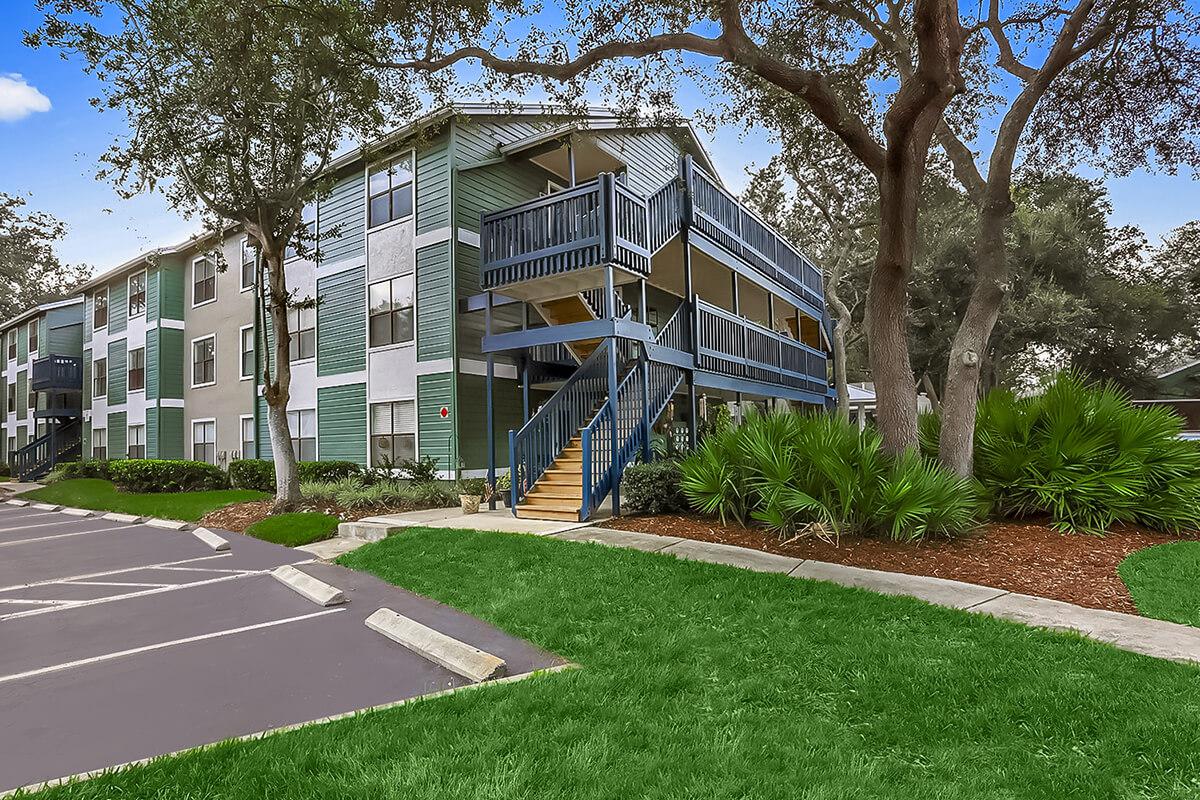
[{"x": 970, "y": 347}]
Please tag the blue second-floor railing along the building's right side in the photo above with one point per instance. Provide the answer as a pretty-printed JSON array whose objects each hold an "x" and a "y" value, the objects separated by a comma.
[{"x": 736, "y": 347}]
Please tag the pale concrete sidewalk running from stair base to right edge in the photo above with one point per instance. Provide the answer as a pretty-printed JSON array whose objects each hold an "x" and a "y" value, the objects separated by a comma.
[{"x": 1141, "y": 635}]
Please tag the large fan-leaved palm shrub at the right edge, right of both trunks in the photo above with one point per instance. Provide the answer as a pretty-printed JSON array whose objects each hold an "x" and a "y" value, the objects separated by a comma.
[{"x": 1087, "y": 458}]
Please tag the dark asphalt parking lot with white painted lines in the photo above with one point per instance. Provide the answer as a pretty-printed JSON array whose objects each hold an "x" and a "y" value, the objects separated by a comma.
[{"x": 122, "y": 642}]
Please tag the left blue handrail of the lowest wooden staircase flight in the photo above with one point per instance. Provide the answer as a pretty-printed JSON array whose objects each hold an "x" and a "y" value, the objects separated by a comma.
[{"x": 539, "y": 442}]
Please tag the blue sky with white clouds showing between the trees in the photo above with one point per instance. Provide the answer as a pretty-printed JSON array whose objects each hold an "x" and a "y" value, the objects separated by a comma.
[{"x": 51, "y": 139}]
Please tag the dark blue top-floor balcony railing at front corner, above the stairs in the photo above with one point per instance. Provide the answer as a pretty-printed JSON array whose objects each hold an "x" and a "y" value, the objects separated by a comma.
[{"x": 591, "y": 225}]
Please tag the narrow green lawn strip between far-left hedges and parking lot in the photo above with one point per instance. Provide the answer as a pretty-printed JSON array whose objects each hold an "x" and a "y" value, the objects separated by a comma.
[{"x": 103, "y": 496}]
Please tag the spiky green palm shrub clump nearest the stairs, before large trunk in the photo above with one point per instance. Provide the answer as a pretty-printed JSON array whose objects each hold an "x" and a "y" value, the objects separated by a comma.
[{"x": 802, "y": 472}]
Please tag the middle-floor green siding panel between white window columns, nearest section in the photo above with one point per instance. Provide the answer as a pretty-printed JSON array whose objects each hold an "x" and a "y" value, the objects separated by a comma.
[{"x": 341, "y": 323}]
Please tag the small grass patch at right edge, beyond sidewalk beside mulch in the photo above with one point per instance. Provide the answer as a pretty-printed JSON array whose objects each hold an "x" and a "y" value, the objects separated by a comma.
[{"x": 1165, "y": 581}]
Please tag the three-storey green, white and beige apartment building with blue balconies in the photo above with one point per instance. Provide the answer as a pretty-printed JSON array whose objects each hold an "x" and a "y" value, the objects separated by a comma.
[{"x": 475, "y": 270}]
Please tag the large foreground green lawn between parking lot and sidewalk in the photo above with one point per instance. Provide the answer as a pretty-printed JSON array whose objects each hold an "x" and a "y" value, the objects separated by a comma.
[{"x": 707, "y": 682}]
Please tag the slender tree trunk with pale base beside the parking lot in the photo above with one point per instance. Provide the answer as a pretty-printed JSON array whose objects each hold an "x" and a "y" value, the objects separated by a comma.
[{"x": 278, "y": 390}]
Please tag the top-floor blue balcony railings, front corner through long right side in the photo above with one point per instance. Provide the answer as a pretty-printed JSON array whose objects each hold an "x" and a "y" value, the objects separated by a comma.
[{"x": 571, "y": 234}]
